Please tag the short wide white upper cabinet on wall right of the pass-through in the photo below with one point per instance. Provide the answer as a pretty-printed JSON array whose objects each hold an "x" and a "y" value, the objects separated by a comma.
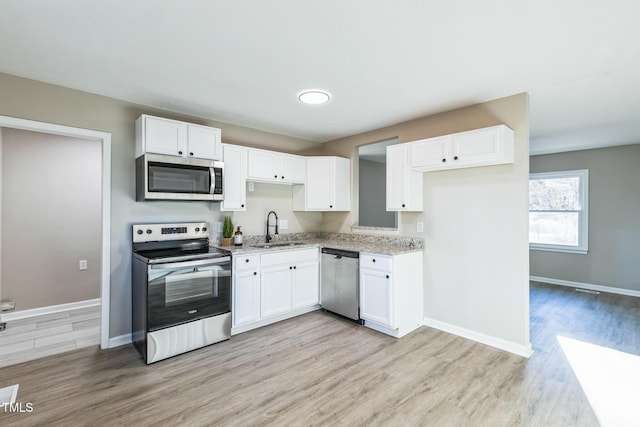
[{"x": 481, "y": 147}]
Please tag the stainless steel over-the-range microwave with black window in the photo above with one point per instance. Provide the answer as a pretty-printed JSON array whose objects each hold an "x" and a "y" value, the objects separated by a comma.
[{"x": 160, "y": 177}]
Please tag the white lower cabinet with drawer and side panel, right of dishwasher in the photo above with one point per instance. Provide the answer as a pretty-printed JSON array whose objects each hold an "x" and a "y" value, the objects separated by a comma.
[{"x": 391, "y": 292}]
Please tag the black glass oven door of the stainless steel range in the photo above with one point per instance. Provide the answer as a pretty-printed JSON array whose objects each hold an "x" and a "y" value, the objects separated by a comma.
[{"x": 180, "y": 292}]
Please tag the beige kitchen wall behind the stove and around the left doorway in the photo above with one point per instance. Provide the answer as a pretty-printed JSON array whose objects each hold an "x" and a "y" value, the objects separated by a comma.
[{"x": 43, "y": 102}]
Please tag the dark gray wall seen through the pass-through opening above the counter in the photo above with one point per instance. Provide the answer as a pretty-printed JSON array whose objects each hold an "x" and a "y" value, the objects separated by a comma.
[{"x": 372, "y": 196}]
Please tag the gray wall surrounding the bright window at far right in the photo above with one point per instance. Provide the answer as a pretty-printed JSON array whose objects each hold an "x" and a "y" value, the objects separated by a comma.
[{"x": 614, "y": 226}]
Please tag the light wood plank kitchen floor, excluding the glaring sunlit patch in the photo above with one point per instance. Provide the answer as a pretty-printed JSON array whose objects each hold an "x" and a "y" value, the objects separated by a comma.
[{"x": 318, "y": 370}]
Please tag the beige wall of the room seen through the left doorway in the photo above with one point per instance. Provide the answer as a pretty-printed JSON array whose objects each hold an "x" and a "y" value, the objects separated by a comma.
[{"x": 51, "y": 218}]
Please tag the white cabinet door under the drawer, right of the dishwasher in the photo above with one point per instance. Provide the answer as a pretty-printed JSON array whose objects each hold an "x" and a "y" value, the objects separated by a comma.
[{"x": 376, "y": 302}]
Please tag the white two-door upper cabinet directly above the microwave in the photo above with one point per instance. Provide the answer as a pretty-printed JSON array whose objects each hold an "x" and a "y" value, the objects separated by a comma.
[{"x": 175, "y": 138}]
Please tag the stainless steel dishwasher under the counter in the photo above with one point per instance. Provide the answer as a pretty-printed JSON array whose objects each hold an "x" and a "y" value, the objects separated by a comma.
[{"x": 340, "y": 290}]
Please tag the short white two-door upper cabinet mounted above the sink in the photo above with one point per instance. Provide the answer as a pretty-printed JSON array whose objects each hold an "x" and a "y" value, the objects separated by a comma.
[{"x": 271, "y": 166}]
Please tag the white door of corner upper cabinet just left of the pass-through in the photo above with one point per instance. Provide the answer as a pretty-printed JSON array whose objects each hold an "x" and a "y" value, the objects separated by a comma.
[{"x": 319, "y": 184}]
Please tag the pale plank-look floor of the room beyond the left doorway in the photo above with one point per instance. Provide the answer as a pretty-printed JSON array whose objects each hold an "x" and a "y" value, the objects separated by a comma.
[{"x": 39, "y": 336}]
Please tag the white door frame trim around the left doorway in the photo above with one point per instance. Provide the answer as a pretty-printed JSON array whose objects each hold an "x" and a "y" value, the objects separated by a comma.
[{"x": 105, "y": 138}]
